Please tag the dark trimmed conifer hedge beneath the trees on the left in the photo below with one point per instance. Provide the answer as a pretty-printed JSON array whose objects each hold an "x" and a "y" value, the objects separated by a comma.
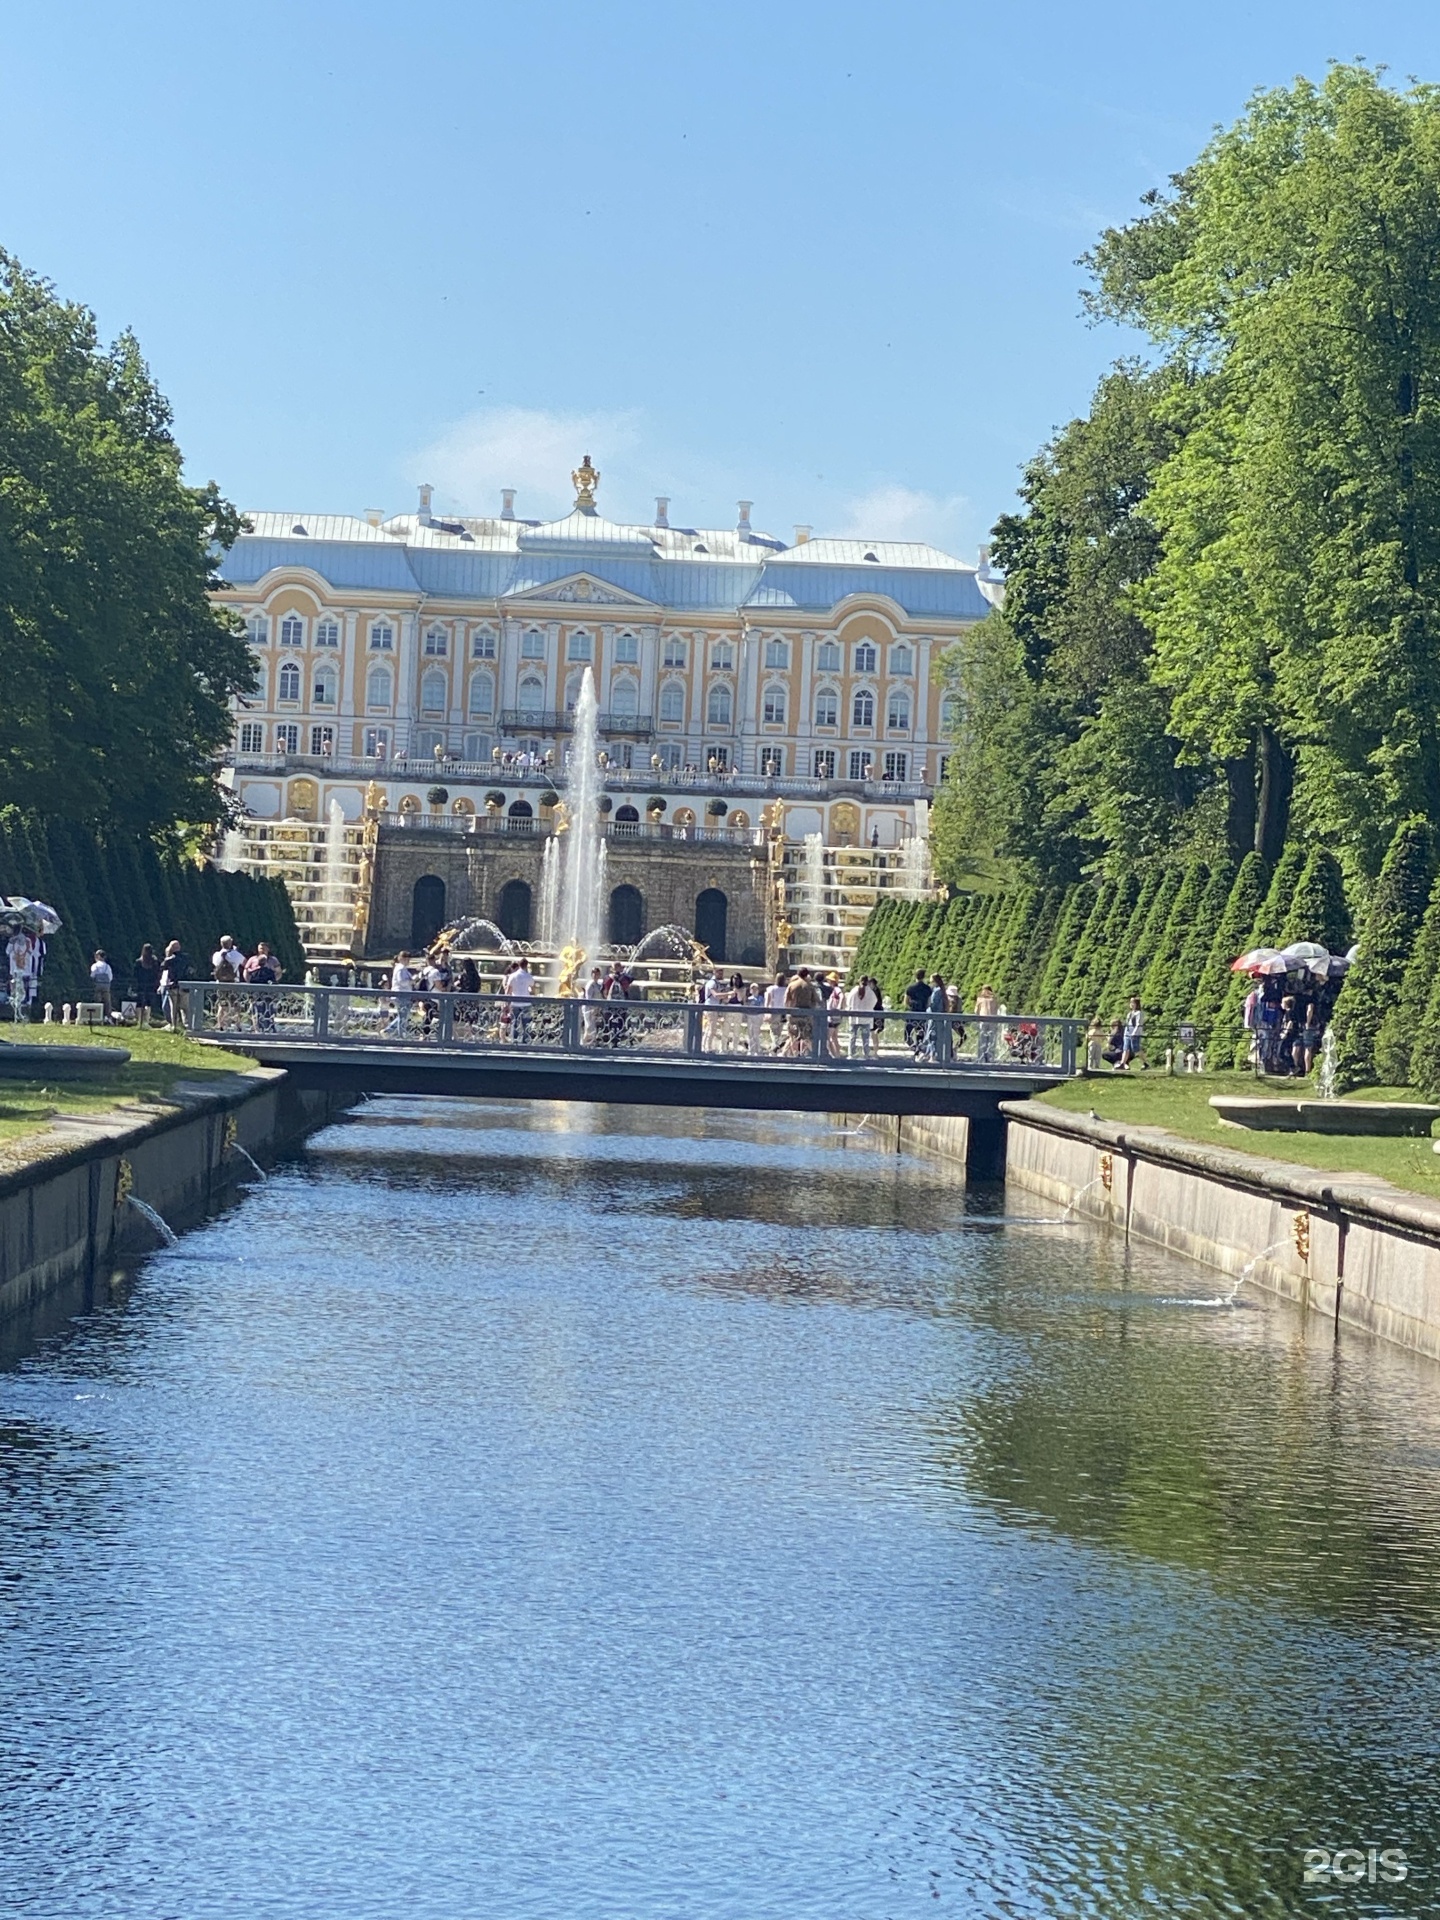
[{"x": 120, "y": 896}]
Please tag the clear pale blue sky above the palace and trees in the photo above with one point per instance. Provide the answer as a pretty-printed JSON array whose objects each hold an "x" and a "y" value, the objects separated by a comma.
[{"x": 821, "y": 256}]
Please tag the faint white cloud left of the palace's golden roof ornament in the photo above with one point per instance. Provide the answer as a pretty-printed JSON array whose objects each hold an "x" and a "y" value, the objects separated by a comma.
[{"x": 525, "y": 448}]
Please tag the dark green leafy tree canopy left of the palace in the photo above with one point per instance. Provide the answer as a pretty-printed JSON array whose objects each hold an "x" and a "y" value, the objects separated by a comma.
[{"x": 118, "y": 665}]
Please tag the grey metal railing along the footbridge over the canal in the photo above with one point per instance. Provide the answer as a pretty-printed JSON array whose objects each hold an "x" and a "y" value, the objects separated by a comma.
[{"x": 679, "y": 1030}]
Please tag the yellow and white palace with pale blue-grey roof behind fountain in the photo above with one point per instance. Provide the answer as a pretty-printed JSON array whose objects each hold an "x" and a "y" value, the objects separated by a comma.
[{"x": 423, "y": 654}]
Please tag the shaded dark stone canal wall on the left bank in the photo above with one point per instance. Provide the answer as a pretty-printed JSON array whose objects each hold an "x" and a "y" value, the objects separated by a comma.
[{"x": 66, "y": 1216}]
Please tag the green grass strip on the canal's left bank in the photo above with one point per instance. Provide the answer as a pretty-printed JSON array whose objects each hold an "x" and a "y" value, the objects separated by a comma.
[{"x": 158, "y": 1059}]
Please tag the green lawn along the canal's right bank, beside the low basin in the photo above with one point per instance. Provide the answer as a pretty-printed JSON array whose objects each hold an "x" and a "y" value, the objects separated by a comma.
[{"x": 1182, "y": 1107}]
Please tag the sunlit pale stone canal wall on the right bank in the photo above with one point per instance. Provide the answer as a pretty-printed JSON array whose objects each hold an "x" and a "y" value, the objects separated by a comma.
[{"x": 1351, "y": 1247}]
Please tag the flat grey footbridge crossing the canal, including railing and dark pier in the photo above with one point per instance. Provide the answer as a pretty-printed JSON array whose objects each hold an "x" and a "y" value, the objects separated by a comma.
[{"x": 646, "y": 1053}]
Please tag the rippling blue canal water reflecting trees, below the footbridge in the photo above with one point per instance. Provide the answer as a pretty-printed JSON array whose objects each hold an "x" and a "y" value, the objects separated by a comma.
[{"x": 608, "y": 1514}]
